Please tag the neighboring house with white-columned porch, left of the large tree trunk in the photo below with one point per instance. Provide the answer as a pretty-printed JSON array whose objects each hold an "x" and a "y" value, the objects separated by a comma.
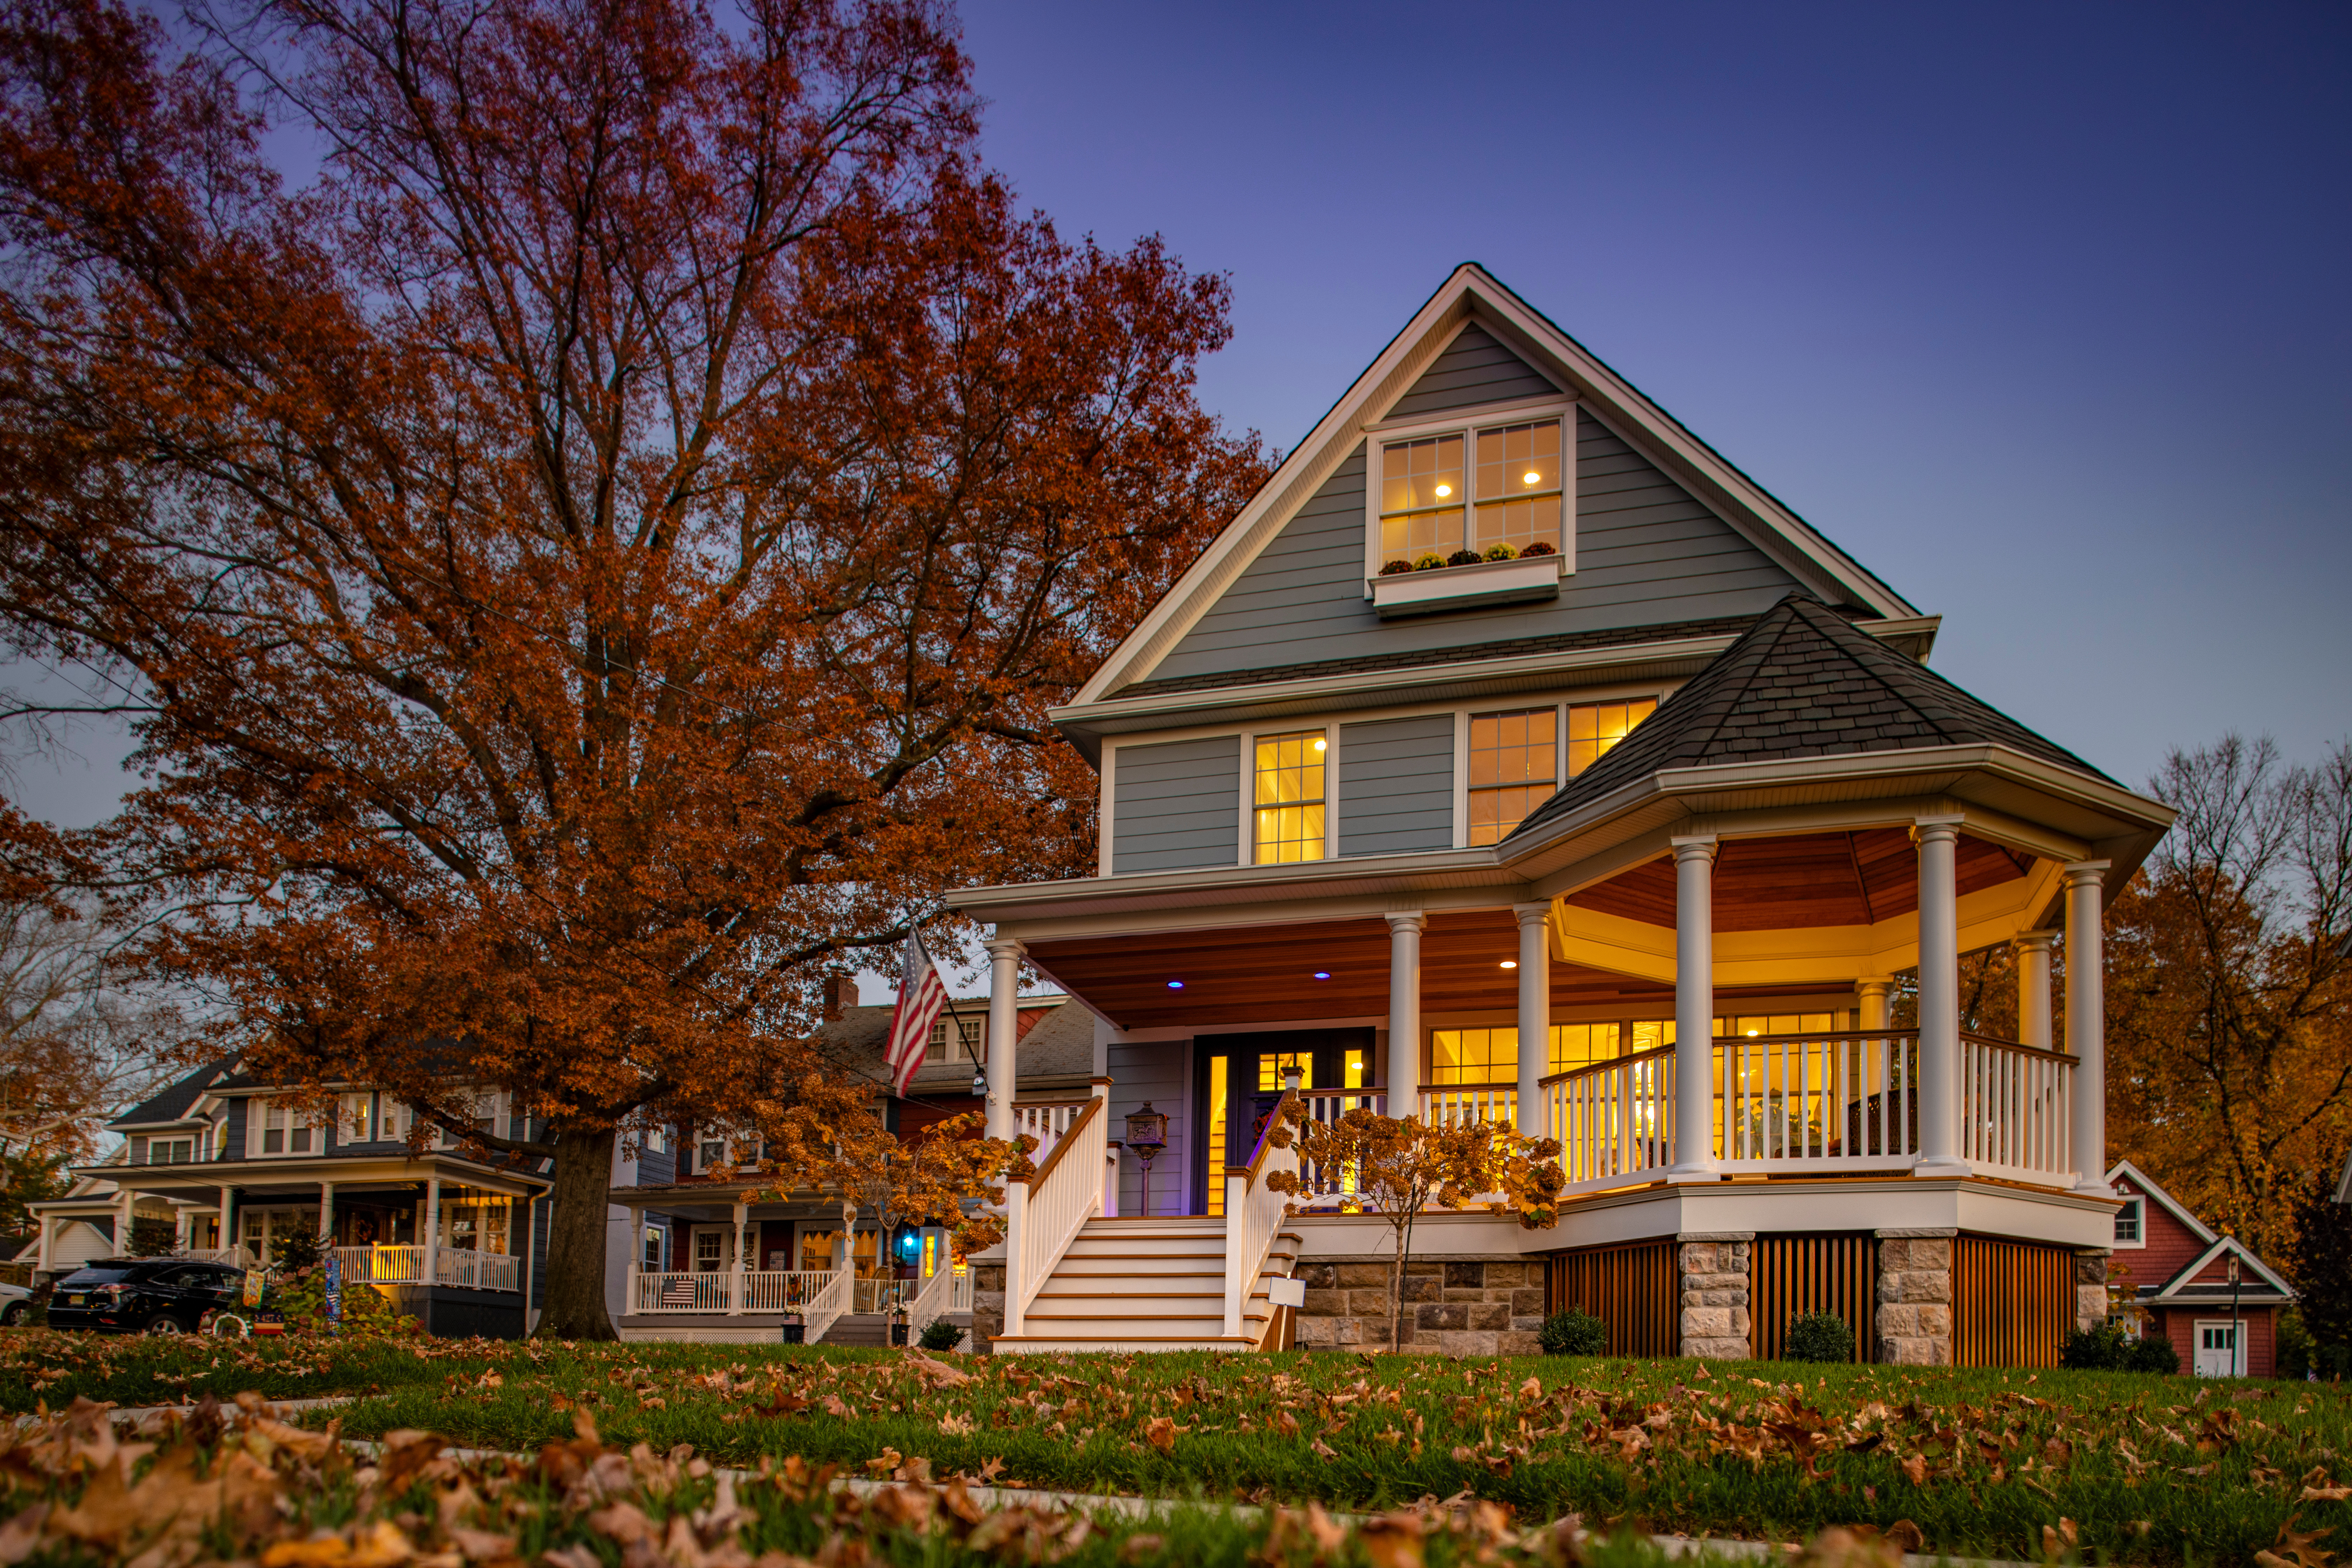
[{"x": 232, "y": 1162}]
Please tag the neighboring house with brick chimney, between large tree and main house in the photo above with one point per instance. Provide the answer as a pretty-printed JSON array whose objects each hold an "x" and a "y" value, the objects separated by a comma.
[{"x": 709, "y": 1259}]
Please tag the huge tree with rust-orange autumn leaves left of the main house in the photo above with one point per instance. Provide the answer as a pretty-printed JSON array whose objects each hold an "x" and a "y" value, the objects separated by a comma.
[{"x": 589, "y": 556}]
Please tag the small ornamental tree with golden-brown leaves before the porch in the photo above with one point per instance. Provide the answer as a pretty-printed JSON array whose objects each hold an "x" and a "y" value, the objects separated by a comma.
[{"x": 1403, "y": 1167}]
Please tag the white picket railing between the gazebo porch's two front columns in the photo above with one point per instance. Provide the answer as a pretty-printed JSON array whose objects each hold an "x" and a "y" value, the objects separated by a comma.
[{"x": 1817, "y": 1101}]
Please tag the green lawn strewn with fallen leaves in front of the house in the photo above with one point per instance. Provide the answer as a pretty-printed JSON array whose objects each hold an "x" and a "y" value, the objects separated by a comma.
[{"x": 2158, "y": 1470}]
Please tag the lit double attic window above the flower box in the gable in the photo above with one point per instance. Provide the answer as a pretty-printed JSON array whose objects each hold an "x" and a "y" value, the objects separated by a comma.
[{"x": 1476, "y": 488}]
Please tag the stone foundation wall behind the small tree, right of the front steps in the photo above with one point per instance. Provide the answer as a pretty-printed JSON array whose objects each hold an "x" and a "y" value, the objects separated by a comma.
[{"x": 1452, "y": 1308}]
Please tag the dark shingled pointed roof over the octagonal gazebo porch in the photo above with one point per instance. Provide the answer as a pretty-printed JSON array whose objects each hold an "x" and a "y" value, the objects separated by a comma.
[{"x": 1803, "y": 683}]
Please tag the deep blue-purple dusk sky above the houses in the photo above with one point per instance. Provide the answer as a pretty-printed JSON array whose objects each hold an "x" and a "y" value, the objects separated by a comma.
[{"x": 2038, "y": 311}]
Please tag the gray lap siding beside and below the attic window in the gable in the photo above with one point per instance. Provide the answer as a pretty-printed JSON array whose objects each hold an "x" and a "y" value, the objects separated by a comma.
[{"x": 1645, "y": 554}]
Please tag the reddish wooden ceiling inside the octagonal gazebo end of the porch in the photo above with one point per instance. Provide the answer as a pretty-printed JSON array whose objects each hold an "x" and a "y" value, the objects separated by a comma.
[{"x": 1808, "y": 880}]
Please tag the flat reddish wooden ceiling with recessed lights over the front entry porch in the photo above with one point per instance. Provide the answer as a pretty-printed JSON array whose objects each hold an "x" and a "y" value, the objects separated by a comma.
[{"x": 1267, "y": 974}]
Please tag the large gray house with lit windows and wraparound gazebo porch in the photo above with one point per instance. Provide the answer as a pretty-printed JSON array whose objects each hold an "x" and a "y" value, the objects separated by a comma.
[{"x": 1516, "y": 756}]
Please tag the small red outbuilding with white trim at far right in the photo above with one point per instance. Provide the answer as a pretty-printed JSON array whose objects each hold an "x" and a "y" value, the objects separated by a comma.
[{"x": 2179, "y": 1278}]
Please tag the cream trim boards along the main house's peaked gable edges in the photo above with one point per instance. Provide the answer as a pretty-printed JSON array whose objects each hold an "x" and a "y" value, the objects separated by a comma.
[{"x": 1471, "y": 295}]
